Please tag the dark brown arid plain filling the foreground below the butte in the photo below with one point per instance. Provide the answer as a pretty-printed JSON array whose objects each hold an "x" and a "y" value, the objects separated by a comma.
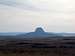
[{"x": 38, "y": 47}]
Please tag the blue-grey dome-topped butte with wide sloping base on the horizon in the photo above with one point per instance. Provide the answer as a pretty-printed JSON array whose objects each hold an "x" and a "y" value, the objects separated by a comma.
[{"x": 39, "y": 32}]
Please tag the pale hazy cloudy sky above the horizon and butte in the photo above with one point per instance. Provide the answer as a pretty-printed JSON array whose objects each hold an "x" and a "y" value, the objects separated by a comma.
[{"x": 26, "y": 15}]
